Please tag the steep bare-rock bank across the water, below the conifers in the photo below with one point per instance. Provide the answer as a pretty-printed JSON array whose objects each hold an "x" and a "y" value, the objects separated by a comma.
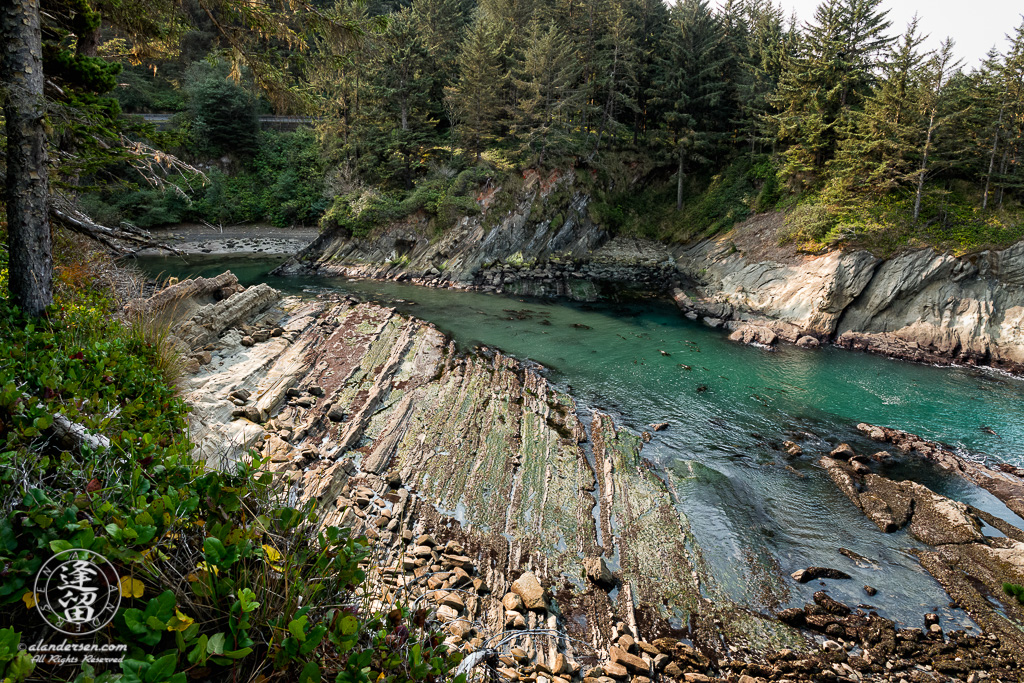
[{"x": 919, "y": 306}]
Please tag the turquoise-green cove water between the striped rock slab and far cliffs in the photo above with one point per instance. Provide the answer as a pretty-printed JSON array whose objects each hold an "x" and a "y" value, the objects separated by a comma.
[{"x": 730, "y": 408}]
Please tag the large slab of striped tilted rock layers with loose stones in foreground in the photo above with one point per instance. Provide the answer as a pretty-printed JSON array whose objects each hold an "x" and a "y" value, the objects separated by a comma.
[{"x": 470, "y": 475}]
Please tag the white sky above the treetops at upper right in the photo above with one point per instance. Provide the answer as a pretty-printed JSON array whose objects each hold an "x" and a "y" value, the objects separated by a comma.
[{"x": 975, "y": 26}]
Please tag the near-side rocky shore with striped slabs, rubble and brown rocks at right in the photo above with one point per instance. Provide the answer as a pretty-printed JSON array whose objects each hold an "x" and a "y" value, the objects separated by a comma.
[{"x": 545, "y": 542}]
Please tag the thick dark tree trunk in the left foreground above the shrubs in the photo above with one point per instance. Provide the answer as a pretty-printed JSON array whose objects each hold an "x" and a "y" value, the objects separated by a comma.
[{"x": 31, "y": 269}]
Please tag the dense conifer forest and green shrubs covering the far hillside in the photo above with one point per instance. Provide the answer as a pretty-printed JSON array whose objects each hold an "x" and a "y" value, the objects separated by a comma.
[{"x": 686, "y": 119}]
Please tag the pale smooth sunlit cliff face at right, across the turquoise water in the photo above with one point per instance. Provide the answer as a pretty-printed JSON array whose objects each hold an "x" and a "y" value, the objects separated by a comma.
[{"x": 920, "y": 306}]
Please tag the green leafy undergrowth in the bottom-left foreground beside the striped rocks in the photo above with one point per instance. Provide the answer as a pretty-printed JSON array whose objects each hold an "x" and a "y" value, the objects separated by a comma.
[{"x": 220, "y": 578}]
